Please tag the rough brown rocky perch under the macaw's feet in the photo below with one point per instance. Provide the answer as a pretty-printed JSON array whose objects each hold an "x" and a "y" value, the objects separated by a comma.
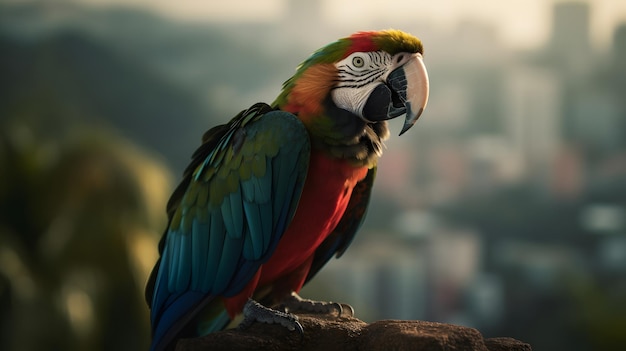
[{"x": 329, "y": 333}]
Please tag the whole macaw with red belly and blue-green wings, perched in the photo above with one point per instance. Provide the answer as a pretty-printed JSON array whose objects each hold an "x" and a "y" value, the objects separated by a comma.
[{"x": 272, "y": 195}]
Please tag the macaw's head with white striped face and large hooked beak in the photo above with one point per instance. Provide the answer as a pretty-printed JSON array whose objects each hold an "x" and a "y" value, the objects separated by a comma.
[{"x": 370, "y": 76}]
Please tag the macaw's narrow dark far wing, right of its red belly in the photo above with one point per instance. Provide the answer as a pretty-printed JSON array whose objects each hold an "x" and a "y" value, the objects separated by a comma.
[{"x": 339, "y": 240}]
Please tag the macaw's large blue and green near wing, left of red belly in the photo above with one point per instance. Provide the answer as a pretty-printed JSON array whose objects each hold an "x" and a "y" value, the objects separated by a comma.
[{"x": 227, "y": 216}]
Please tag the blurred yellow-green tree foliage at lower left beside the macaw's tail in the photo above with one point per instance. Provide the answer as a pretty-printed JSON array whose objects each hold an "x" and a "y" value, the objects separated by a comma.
[{"x": 79, "y": 220}]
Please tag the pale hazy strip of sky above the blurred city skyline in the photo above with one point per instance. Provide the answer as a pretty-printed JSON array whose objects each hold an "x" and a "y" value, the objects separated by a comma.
[{"x": 518, "y": 22}]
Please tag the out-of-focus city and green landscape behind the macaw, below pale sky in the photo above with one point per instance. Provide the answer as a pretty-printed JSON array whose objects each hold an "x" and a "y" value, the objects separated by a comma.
[{"x": 503, "y": 209}]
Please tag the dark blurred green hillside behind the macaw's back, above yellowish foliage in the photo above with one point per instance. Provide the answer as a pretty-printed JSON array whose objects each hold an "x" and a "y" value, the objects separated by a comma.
[{"x": 70, "y": 78}]
